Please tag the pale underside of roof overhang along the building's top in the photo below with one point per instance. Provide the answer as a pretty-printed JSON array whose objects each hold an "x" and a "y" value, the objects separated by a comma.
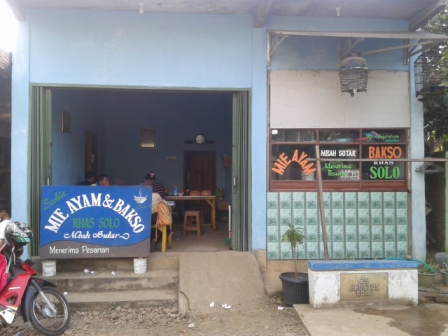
[{"x": 417, "y": 12}]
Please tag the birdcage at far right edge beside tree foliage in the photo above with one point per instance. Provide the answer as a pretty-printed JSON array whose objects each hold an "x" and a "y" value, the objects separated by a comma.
[{"x": 428, "y": 75}]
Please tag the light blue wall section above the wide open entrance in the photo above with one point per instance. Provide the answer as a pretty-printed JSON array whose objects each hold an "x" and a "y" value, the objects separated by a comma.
[{"x": 126, "y": 48}]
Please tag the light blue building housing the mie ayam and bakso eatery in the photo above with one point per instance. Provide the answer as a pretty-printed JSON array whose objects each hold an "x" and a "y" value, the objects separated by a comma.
[{"x": 126, "y": 87}]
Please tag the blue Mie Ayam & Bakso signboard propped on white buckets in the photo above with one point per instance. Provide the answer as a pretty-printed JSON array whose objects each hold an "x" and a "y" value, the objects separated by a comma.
[{"x": 95, "y": 222}]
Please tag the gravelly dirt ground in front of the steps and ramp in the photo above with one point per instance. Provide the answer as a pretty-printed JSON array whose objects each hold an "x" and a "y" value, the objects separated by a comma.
[{"x": 261, "y": 319}]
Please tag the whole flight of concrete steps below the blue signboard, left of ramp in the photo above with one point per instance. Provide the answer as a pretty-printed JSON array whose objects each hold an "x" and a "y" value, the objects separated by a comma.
[{"x": 103, "y": 290}]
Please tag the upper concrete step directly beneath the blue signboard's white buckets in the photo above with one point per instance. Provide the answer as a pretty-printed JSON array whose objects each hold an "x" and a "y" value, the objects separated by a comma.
[{"x": 103, "y": 281}]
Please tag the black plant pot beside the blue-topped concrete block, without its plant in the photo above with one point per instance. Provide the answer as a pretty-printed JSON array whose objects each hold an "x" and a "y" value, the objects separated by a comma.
[{"x": 295, "y": 291}]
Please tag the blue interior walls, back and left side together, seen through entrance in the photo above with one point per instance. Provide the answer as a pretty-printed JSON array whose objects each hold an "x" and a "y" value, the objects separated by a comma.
[{"x": 118, "y": 116}]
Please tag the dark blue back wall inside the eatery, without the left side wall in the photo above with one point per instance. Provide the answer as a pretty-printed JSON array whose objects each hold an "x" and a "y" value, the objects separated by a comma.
[{"x": 176, "y": 117}]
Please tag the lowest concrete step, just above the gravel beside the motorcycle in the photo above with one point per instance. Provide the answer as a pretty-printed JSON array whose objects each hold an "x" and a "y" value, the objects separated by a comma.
[{"x": 82, "y": 301}]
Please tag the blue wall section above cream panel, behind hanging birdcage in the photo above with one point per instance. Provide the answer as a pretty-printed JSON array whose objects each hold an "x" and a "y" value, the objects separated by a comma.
[{"x": 310, "y": 53}]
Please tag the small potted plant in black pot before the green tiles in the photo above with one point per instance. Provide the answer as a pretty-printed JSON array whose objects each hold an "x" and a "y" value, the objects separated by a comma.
[{"x": 294, "y": 284}]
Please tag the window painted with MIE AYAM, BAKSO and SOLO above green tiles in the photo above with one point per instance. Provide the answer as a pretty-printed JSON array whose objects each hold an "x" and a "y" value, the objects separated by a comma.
[{"x": 343, "y": 153}]
